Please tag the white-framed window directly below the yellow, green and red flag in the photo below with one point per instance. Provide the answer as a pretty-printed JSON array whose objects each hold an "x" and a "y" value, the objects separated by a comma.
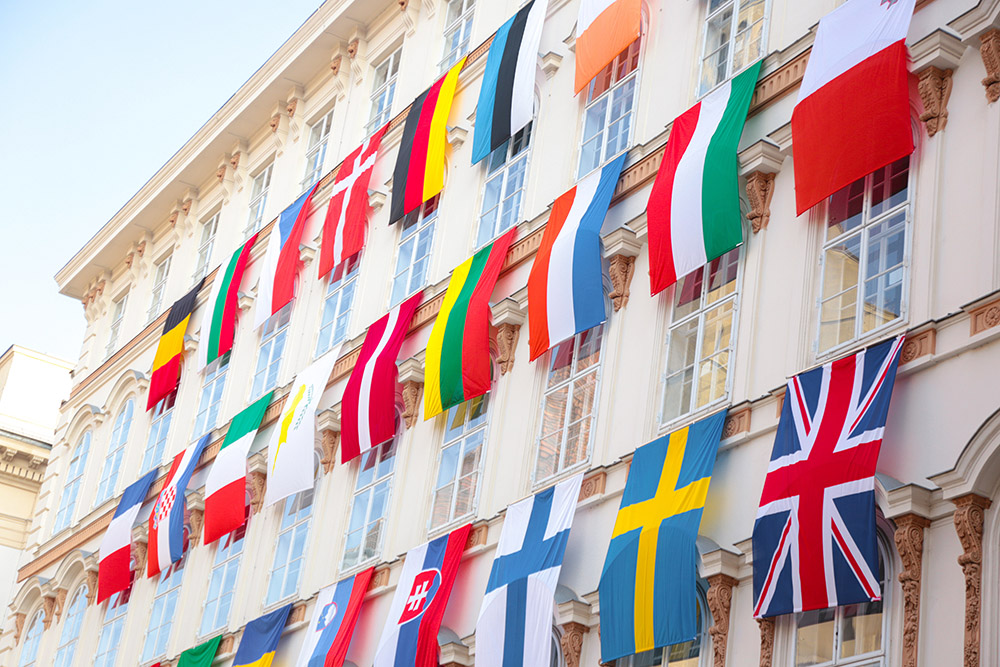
[{"x": 461, "y": 455}]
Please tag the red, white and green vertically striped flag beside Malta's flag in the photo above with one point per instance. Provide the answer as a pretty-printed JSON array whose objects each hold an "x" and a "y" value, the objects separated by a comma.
[{"x": 694, "y": 208}]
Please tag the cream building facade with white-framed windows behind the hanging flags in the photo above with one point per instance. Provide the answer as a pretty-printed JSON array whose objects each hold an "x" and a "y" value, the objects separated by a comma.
[{"x": 914, "y": 247}]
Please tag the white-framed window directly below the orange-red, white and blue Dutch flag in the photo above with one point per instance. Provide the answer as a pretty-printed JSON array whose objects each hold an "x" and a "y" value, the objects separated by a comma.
[{"x": 570, "y": 404}]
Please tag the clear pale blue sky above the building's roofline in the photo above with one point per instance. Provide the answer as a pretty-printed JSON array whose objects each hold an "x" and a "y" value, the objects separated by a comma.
[{"x": 97, "y": 96}]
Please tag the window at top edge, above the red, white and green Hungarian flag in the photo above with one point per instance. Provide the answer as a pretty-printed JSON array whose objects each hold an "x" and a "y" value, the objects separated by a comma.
[{"x": 725, "y": 55}]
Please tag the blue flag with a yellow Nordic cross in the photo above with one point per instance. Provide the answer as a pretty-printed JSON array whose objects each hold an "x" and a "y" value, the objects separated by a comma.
[{"x": 648, "y": 588}]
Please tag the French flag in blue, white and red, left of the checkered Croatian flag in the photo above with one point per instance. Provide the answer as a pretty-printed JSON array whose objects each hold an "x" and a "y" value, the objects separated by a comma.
[{"x": 113, "y": 570}]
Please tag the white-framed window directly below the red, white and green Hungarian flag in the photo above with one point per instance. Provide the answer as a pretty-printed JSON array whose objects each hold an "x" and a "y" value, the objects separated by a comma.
[{"x": 700, "y": 337}]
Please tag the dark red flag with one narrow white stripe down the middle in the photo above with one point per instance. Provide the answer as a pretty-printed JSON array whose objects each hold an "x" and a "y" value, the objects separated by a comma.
[{"x": 368, "y": 409}]
